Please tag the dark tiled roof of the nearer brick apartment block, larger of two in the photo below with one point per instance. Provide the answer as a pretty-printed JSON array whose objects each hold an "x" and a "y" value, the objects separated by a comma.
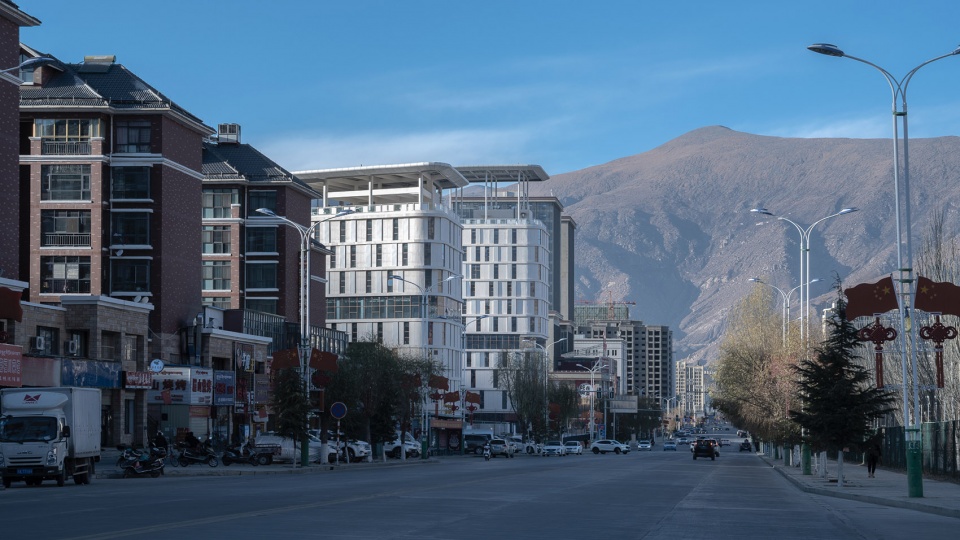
[{"x": 98, "y": 84}]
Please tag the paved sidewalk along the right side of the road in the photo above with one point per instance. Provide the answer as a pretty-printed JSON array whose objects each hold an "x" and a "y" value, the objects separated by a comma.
[{"x": 888, "y": 488}]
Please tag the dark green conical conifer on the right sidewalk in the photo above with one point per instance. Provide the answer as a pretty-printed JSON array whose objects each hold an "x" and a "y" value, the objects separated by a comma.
[{"x": 837, "y": 392}]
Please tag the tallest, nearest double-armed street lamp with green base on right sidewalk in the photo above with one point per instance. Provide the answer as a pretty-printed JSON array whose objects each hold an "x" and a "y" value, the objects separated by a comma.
[{"x": 898, "y": 89}]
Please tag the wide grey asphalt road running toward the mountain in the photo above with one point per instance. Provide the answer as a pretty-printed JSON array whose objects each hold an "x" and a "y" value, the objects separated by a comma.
[{"x": 652, "y": 494}]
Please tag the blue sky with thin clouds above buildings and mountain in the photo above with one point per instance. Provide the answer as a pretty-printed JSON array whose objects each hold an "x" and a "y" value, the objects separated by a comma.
[{"x": 564, "y": 84}]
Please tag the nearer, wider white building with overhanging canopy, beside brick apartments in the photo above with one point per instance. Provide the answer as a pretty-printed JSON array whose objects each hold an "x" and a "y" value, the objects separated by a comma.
[{"x": 402, "y": 226}]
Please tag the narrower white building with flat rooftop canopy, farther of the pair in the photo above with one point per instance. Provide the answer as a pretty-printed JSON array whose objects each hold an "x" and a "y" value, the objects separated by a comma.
[{"x": 508, "y": 280}]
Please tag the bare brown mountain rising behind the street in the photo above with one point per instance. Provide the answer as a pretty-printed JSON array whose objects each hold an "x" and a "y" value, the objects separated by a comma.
[{"x": 671, "y": 229}]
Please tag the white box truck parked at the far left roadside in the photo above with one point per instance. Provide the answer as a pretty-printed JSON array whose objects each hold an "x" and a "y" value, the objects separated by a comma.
[{"x": 49, "y": 434}]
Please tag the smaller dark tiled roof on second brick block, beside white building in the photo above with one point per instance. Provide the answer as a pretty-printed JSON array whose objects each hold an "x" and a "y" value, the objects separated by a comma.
[{"x": 242, "y": 161}]
